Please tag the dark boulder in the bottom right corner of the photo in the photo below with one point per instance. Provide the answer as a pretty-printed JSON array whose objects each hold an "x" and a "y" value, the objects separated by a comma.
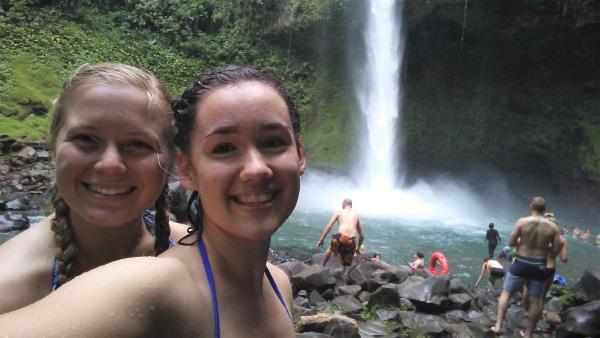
[{"x": 581, "y": 321}]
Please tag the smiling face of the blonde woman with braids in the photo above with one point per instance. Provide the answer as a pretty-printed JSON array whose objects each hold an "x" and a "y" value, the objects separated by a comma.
[{"x": 107, "y": 167}]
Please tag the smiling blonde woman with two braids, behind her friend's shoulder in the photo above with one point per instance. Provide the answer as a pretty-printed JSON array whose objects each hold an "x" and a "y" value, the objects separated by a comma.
[{"x": 111, "y": 139}]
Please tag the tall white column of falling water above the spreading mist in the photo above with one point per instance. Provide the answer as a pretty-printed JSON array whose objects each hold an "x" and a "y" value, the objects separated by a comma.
[{"x": 380, "y": 97}]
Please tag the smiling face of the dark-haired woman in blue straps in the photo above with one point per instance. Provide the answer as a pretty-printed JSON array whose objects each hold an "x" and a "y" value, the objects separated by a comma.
[{"x": 244, "y": 160}]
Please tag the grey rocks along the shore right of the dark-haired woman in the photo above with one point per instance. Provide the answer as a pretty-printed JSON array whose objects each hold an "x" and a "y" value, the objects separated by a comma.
[{"x": 374, "y": 299}]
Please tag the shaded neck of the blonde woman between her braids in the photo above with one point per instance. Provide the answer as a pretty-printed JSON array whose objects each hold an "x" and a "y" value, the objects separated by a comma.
[{"x": 98, "y": 245}]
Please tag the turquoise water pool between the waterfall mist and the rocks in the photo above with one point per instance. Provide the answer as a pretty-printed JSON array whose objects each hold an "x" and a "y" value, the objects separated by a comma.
[{"x": 397, "y": 240}]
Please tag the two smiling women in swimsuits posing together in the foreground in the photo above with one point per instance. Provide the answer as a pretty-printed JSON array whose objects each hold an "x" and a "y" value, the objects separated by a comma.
[{"x": 88, "y": 269}]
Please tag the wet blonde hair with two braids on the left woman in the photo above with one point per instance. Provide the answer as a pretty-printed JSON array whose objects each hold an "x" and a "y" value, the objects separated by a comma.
[{"x": 118, "y": 75}]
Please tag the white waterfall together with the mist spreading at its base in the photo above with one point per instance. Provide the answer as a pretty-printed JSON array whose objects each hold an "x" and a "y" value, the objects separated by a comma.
[{"x": 375, "y": 188}]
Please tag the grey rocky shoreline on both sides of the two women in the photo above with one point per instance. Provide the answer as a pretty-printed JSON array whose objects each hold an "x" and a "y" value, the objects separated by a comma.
[{"x": 372, "y": 299}]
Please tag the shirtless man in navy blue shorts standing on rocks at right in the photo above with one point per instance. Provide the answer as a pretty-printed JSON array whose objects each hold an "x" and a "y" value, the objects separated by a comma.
[{"x": 534, "y": 237}]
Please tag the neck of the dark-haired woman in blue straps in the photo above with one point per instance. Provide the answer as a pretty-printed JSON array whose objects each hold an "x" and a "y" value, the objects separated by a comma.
[{"x": 238, "y": 261}]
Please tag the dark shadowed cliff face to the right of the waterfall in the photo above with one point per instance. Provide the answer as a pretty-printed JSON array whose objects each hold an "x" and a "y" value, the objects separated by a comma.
[{"x": 506, "y": 86}]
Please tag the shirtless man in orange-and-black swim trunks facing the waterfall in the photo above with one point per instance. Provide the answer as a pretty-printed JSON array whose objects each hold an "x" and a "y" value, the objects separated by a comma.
[{"x": 343, "y": 242}]
